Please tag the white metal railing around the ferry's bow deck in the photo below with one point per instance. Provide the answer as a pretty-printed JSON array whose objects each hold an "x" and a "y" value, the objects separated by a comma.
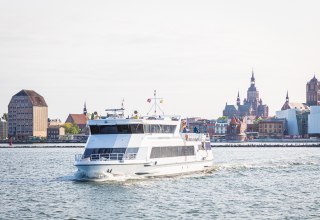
[{"x": 106, "y": 157}]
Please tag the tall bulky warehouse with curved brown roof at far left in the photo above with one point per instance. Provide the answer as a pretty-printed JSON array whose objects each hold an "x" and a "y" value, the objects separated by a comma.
[{"x": 27, "y": 115}]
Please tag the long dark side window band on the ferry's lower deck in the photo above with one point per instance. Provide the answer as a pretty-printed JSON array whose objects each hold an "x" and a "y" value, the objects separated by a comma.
[{"x": 177, "y": 151}]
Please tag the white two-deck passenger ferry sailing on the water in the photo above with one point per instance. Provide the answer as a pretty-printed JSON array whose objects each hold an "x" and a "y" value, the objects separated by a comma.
[{"x": 145, "y": 146}]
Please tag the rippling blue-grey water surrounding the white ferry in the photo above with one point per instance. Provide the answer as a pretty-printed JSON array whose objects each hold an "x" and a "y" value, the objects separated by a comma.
[{"x": 259, "y": 183}]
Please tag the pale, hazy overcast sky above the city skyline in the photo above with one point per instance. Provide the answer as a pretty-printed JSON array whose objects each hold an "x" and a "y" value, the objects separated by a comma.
[{"x": 197, "y": 54}]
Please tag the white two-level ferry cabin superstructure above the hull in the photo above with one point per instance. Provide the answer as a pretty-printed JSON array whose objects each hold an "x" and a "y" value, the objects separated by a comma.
[{"x": 148, "y": 139}]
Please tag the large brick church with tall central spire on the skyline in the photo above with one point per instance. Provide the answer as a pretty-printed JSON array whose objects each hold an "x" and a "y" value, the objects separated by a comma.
[{"x": 252, "y": 105}]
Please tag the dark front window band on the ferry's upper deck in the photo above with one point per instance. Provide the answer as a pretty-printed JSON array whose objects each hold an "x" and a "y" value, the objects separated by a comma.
[{"x": 117, "y": 129}]
